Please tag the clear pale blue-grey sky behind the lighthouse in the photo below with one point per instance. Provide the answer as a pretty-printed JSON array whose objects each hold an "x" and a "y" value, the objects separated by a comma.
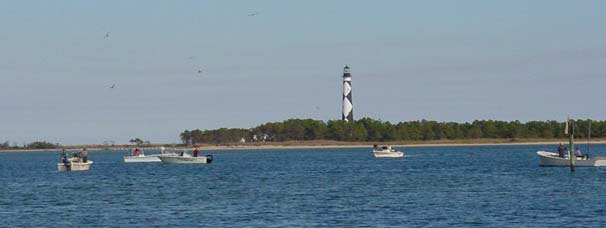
[{"x": 410, "y": 60}]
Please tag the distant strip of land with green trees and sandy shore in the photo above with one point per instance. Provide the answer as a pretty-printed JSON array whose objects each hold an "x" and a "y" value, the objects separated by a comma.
[{"x": 309, "y": 133}]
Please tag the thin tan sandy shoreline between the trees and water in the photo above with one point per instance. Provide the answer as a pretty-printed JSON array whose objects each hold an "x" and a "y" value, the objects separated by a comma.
[{"x": 313, "y": 145}]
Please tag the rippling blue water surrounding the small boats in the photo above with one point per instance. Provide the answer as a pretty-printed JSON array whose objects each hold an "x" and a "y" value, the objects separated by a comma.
[{"x": 484, "y": 186}]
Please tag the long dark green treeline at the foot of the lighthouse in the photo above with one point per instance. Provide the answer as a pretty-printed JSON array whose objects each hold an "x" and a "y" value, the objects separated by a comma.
[{"x": 368, "y": 129}]
